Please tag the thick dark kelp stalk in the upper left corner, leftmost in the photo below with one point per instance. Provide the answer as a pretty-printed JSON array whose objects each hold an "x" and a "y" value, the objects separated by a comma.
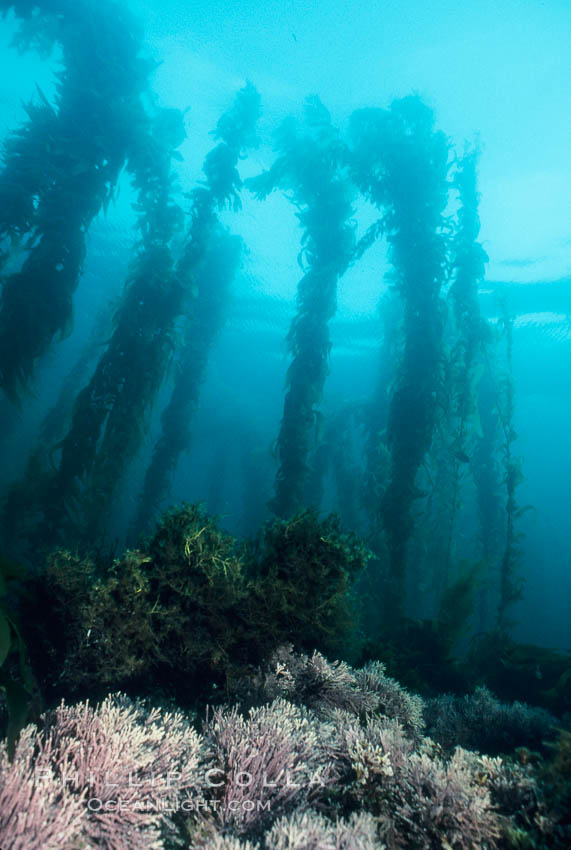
[{"x": 62, "y": 166}]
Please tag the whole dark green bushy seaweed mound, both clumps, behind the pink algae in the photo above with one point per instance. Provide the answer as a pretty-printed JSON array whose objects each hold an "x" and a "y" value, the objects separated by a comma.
[{"x": 193, "y": 608}]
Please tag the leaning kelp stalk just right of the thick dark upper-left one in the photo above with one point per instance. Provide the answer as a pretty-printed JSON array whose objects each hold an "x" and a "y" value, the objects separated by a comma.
[{"x": 111, "y": 412}]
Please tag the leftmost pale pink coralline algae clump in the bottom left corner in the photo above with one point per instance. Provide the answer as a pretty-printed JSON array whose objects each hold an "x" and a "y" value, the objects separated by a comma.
[{"x": 97, "y": 777}]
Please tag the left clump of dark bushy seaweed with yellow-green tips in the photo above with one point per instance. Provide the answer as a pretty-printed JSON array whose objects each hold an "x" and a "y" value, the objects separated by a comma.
[{"x": 166, "y": 618}]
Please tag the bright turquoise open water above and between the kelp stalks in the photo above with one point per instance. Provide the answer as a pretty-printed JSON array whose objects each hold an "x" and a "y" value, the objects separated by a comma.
[{"x": 491, "y": 83}]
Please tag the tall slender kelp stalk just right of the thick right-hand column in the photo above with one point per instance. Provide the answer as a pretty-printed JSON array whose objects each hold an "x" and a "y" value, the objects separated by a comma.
[{"x": 448, "y": 464}]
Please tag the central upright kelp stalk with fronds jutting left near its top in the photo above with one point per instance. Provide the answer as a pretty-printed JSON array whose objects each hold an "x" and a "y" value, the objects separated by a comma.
[{"x": 310, "y": 167}]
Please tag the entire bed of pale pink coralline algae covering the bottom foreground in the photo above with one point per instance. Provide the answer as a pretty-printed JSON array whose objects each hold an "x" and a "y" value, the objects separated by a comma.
[{"x": 336, "y": 762}]
